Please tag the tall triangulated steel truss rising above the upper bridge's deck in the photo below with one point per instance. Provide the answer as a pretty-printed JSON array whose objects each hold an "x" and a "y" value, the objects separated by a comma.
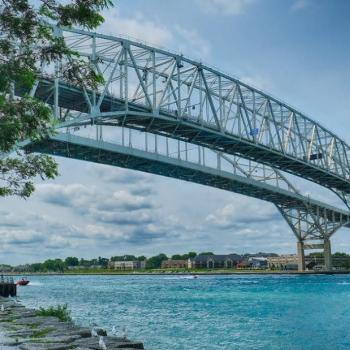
[{"x": 164, "y": 82}]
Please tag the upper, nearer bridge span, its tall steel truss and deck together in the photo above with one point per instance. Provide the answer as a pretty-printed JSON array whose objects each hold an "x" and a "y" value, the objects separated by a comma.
[{"x": 156, "y": 90}]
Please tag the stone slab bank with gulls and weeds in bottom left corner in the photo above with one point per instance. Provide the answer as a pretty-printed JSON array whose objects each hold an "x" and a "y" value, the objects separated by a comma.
[{"x": 21, "y": 328}]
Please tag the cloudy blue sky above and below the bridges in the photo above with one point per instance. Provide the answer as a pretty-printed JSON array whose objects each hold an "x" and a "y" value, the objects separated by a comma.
[{"x": 297, "y": 50}]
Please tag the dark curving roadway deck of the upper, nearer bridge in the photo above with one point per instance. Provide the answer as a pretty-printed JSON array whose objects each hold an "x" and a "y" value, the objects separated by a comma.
[{"x": 187, "y": 129}]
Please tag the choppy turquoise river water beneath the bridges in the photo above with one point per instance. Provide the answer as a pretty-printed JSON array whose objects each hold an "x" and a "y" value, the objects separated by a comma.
[{"x": 211, "y": 312}]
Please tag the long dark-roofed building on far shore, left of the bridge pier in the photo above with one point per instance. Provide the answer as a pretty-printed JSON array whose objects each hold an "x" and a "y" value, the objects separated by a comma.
[{"x": 215, "y": 261}]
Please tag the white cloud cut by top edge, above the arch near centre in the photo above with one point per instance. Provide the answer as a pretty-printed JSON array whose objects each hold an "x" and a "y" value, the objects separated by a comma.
[{"x": 225, "y": 7}]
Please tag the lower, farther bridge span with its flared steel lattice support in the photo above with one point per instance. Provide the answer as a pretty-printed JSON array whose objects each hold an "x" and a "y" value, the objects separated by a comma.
[{"x": 309, "y": 219}]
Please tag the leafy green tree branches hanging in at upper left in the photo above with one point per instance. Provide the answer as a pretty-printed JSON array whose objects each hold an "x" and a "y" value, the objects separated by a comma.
[{"x": 27, "y": 41}]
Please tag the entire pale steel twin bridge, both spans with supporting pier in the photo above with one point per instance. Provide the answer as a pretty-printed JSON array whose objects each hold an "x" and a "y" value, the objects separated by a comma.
[{"x": 165, "y": 114}]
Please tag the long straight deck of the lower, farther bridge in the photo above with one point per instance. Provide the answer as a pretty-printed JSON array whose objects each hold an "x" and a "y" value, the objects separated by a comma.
[{"x": 82, "y": 148}]
